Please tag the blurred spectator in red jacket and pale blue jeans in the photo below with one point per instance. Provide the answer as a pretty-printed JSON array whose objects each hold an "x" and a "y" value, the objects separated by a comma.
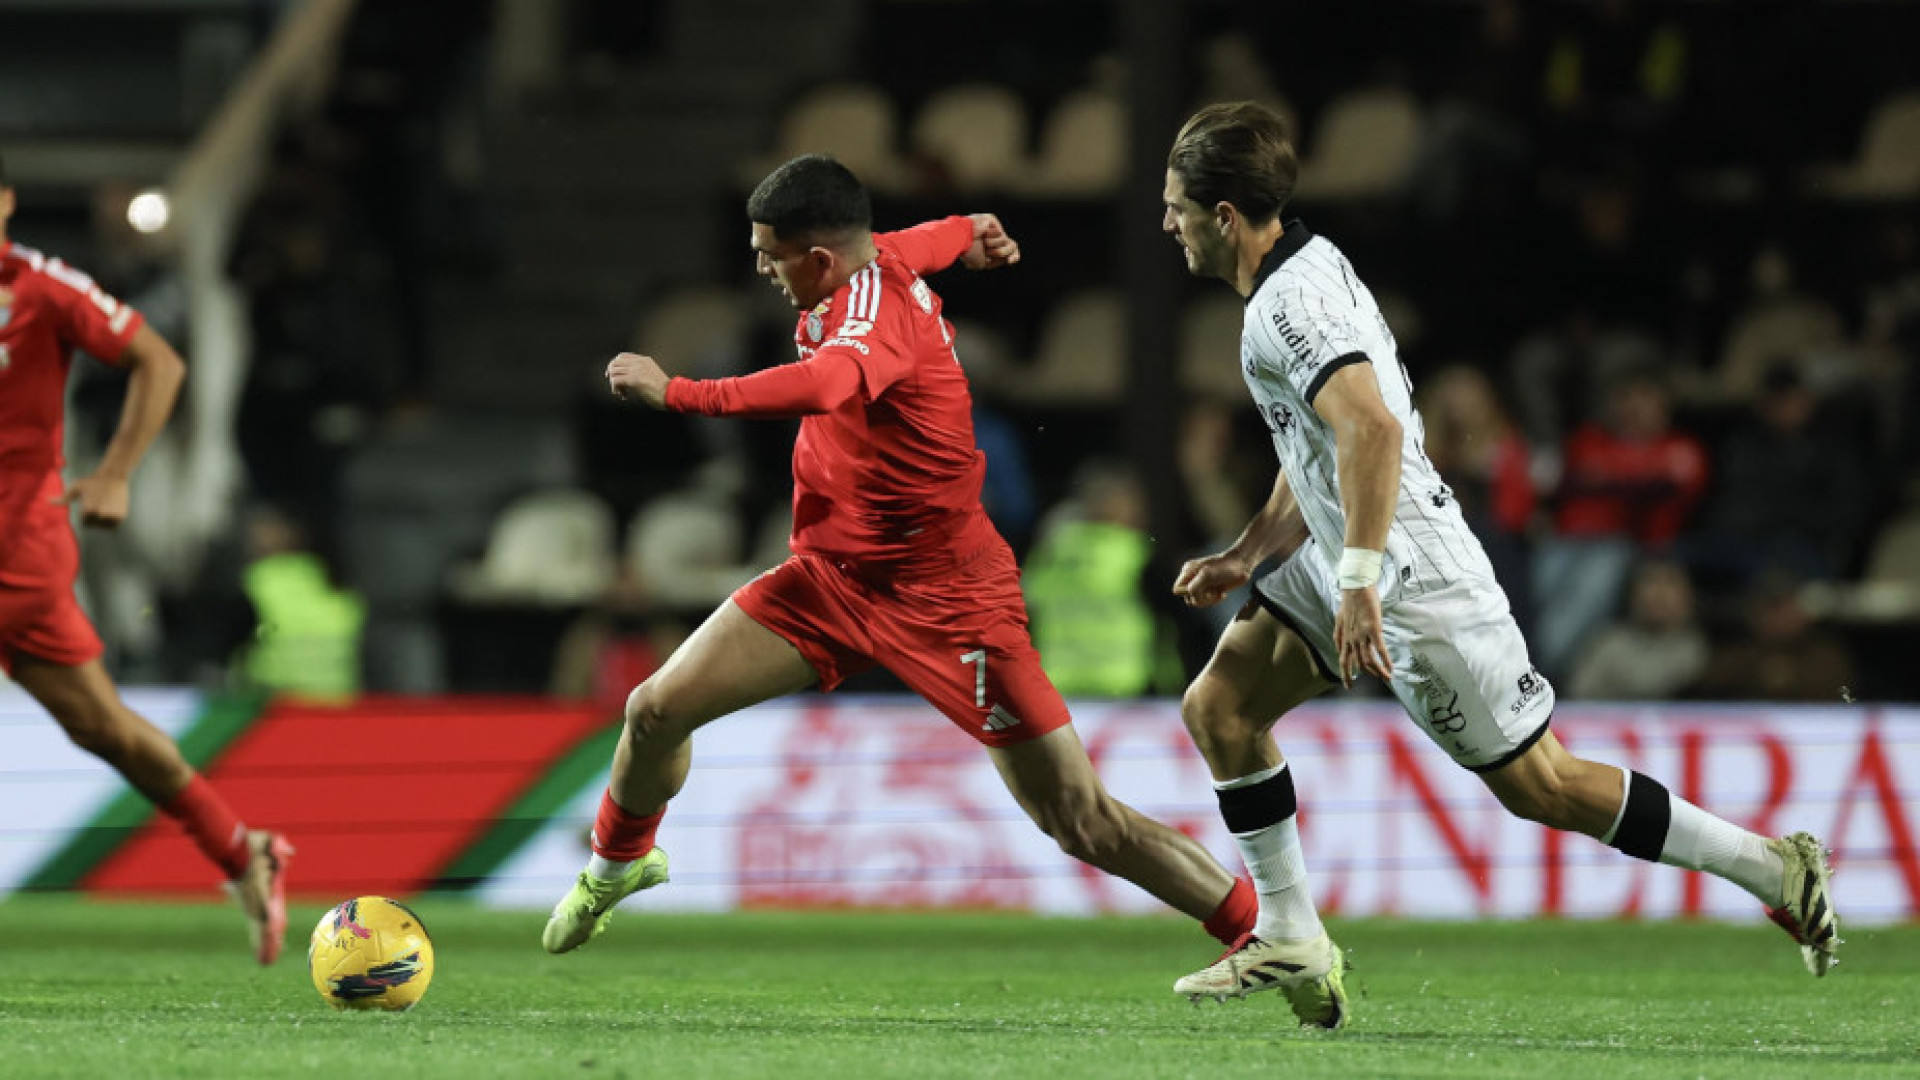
[{"x": 1627, "y": 485}]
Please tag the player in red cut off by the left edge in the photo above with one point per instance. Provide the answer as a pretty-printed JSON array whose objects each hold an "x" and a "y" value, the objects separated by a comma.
[{"x": 47, "y": 643}]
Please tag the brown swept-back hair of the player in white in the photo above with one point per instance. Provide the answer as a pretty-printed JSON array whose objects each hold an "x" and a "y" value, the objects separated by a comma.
[{"x": 1237, "y": 153}]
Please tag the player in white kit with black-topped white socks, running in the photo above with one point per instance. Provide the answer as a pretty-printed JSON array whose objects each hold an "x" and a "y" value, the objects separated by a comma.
[{"x": 1380, "y": 576}]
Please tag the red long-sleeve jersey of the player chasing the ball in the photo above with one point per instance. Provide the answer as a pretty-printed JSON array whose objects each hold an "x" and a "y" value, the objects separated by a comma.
[{"x": 886, "y": 474}]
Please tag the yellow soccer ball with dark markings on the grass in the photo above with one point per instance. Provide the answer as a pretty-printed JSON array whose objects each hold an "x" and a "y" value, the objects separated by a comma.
[{"x": 372, "y": 954}]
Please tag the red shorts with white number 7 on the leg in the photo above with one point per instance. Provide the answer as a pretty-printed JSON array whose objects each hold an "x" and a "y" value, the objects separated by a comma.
[{"x": 959, "y": 641}]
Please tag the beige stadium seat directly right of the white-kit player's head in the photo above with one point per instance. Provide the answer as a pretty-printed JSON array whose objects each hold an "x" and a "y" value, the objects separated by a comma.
[{"x": 1364, "y": 145}]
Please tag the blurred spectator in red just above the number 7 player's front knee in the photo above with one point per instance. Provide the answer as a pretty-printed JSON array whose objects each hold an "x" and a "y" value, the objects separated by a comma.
[{"x": 613, "y": 647}]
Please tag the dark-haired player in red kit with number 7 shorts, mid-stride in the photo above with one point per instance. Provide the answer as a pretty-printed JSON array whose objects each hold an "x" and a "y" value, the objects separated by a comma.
[{"x": 894, "y": 558}]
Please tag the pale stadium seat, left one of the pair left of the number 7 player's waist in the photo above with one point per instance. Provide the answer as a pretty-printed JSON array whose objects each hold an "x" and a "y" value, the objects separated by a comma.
[{"x": 548, "y": 547}]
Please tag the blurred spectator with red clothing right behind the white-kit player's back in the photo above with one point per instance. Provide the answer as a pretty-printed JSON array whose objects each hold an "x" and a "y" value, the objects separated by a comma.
[{"x": 1489, "y": 466}]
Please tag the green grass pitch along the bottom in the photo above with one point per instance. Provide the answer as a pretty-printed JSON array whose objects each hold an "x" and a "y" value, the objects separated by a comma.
[{"x": 128, "y": 991}]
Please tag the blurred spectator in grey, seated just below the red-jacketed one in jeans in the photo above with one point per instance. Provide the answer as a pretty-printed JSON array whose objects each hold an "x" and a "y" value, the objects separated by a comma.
[{"x": 1656, "y": 652}]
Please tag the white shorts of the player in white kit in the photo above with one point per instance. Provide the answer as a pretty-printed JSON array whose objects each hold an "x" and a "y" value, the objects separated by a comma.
[{"x": 1460, "y": 662}]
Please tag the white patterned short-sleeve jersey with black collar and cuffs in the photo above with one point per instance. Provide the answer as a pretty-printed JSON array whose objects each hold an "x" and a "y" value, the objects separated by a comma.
[{"x": 1308, "y": 318}]
